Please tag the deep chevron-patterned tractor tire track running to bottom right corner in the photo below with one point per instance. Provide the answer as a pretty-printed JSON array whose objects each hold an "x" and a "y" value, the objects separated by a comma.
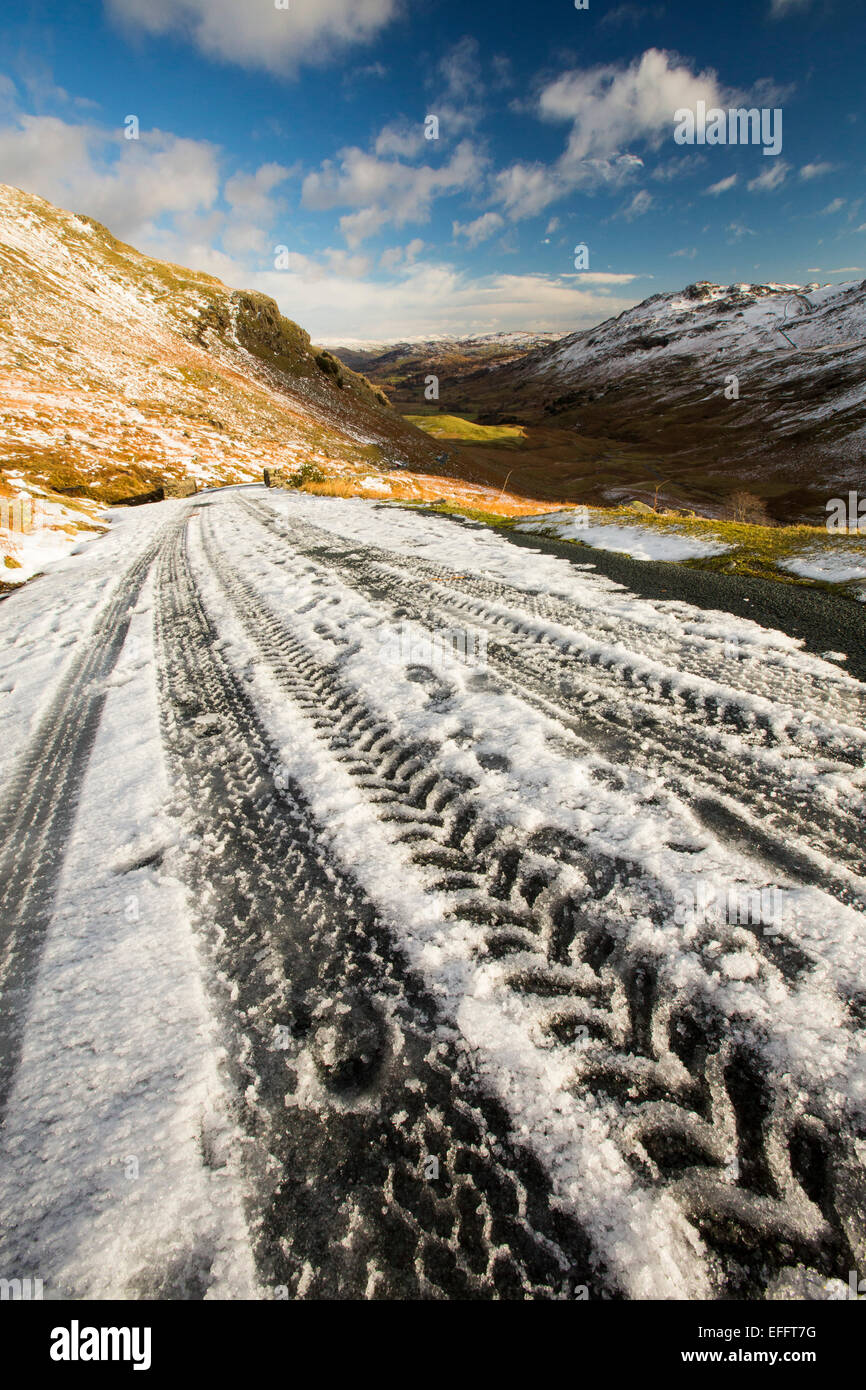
[{"x": 690, "y": 1099}]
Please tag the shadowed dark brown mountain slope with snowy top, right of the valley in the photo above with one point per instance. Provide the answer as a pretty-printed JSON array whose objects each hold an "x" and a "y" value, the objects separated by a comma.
[{"x": 643, "y": 397}]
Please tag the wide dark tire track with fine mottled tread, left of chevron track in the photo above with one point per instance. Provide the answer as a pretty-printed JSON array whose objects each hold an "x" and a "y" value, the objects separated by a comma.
[{"x": 351, "y": 1084}]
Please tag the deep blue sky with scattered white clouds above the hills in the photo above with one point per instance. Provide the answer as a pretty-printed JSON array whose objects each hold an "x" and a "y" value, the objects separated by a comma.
[{"x": 305, "y": 129}]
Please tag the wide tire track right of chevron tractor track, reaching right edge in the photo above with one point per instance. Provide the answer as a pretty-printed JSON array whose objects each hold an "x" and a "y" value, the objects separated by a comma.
[{"x": 732, "y": 786}]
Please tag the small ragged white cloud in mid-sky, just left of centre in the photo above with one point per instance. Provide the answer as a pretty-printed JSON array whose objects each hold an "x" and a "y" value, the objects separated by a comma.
[{"x": 387, "y": 191}]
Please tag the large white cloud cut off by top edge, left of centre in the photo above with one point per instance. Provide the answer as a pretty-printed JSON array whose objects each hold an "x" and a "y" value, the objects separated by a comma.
[{"x": 258, "y": 35}]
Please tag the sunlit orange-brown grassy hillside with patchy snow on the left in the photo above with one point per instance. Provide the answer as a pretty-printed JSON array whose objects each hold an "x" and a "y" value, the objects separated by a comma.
[{"x": 124, "y": 375}]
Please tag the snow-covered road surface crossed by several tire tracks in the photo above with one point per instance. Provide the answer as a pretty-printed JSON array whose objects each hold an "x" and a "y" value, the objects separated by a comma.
[{"x": 387, "y": 911}]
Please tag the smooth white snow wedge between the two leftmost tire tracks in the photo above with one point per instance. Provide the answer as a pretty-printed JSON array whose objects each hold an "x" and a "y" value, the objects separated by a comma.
[{"x": 119, "y": 1093}]
